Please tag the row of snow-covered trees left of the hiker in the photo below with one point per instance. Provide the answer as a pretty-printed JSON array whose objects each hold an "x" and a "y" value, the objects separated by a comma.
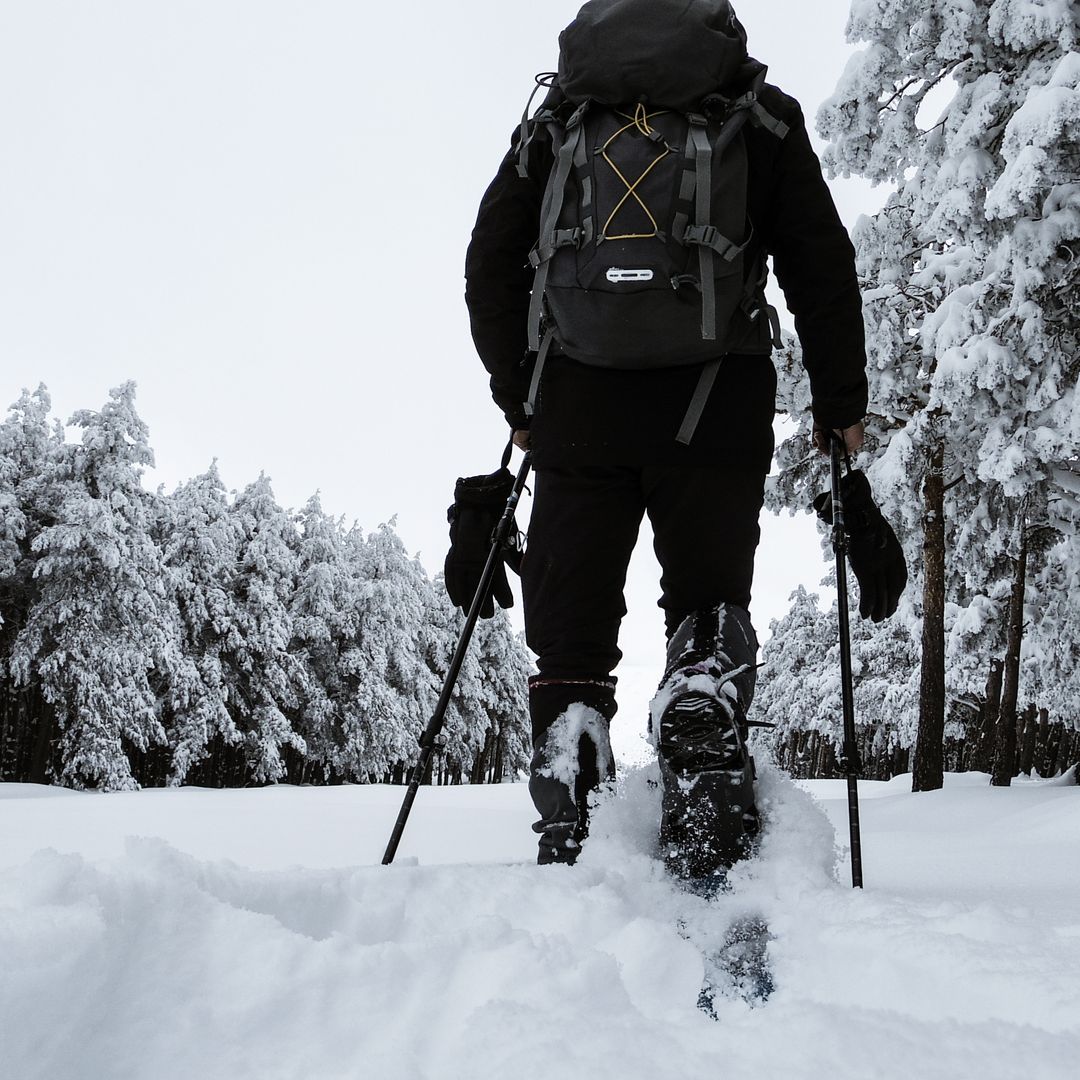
[{"x": 206, "y": 639}]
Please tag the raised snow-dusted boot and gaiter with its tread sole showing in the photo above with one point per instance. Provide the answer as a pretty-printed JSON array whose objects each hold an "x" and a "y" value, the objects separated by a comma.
[{"x": 699, "y": 723}]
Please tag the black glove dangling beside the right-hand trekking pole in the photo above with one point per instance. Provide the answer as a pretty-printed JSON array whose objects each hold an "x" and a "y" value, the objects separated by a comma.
[{"x": 876, "y": 558}]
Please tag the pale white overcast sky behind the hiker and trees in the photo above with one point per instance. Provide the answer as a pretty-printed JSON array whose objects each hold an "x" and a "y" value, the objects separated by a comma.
[{"x": 259, "y": 210}]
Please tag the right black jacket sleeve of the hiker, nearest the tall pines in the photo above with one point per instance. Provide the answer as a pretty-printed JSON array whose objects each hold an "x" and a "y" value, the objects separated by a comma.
[{"x": 815, "y": 264}]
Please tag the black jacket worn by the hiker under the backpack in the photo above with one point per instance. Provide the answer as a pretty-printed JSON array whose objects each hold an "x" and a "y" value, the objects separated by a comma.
[{"x": 591, "y": 415}]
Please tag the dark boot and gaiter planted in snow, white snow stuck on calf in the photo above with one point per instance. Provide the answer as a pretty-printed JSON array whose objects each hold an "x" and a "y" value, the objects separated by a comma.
[{"x": 572, "y": 755}]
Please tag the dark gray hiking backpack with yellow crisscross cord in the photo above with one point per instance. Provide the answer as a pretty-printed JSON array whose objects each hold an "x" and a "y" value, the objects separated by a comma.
[{"x": 640, "y": 263}]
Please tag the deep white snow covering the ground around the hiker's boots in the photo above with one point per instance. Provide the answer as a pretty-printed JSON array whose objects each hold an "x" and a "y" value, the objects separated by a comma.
[{"x": 252, "y": 934}]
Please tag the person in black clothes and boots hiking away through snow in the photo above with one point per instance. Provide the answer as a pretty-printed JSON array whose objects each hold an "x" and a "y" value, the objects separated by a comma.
[{"x": 603, "y": 443}]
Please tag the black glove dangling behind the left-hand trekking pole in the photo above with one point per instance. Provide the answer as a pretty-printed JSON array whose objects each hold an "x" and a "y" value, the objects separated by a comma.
[{"x": 479, "y": 503}]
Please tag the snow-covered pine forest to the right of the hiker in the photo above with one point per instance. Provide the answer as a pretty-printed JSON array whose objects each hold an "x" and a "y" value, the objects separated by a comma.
[{"x": 971, "y": 278}]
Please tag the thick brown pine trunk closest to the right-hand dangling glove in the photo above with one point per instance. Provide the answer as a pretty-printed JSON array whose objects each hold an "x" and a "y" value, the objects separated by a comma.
[{"x": 928, "y": 775}]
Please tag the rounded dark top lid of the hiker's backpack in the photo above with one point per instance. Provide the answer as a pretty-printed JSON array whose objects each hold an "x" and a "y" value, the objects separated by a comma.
[{"x": 671, "y": 53}]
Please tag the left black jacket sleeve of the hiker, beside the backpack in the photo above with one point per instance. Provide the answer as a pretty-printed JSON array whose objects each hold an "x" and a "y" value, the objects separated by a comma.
[{"x": 499, "y": 283}]
